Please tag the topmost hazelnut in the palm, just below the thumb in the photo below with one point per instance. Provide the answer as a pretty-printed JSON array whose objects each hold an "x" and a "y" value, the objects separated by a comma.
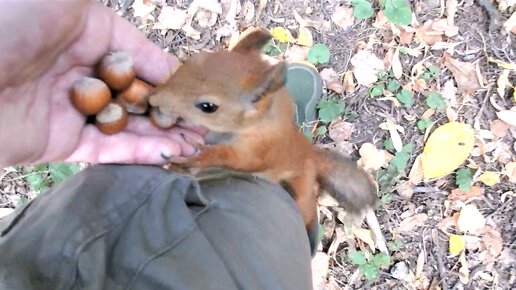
[{"x": 117, "y": 70}]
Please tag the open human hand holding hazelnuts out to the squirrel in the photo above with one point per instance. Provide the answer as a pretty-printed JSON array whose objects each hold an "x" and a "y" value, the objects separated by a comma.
[{"x": 45, "y": 49}]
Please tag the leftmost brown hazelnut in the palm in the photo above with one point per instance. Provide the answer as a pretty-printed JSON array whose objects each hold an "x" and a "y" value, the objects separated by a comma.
[{"x": 90, "y": 95}]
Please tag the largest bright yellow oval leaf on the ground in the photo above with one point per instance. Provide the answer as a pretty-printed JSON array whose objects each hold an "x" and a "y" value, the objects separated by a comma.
[{"x": 446, "y": 149}]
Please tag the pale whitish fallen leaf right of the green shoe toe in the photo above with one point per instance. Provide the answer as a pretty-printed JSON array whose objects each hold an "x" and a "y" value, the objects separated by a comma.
[{"x": 366, "y": 67}]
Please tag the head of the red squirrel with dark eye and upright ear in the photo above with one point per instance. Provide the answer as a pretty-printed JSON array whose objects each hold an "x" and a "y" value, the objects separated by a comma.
[{"x": 223, "y": 91}]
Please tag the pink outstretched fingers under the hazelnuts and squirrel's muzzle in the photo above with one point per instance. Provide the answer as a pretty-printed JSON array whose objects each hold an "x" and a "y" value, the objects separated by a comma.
[{"x": 124, "y": 147}]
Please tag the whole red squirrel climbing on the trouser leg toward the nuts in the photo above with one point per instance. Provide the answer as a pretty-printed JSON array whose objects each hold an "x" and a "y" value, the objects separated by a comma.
[{"x": 241, "y": 96}]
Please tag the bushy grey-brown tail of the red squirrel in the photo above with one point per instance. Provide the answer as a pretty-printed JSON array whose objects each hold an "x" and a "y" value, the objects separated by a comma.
[{"x": 344, "y": 181}]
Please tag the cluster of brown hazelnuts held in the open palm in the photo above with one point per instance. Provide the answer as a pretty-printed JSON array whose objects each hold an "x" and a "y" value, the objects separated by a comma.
[{"x": 115, "y": 94}]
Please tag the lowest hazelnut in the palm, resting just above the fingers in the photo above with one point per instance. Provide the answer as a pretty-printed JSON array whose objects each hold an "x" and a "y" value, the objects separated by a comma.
[{"x": 112, "y": 119}]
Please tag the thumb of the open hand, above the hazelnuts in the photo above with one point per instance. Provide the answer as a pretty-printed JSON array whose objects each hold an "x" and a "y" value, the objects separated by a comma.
[{"x": 151, "y": 62}]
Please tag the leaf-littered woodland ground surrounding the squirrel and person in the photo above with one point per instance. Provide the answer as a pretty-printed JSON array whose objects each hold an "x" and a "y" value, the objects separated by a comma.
[{"x": 420, "y": 219}]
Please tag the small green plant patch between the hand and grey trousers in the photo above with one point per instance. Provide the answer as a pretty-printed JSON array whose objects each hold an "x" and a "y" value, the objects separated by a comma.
[{"x": 42, "y": 176}]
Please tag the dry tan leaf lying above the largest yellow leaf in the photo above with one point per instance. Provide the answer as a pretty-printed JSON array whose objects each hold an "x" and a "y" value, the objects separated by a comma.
[{"x": 465, "y": 74}]
